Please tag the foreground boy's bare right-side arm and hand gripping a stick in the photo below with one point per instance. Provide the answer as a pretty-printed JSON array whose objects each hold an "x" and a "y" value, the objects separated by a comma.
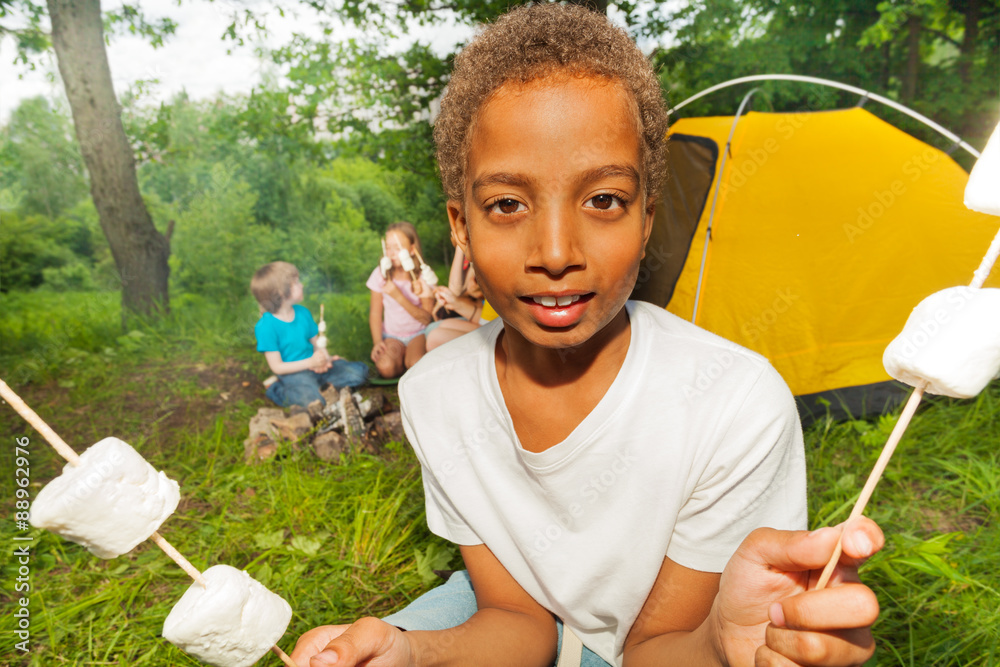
[{"x": 767, "y": 610}]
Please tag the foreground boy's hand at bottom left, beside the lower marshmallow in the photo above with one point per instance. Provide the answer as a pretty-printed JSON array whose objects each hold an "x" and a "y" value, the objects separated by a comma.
[{"x": 369, "y": 642}]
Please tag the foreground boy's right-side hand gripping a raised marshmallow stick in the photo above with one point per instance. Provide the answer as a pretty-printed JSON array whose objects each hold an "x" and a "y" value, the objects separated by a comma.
[{"x": 765, "y": 591}]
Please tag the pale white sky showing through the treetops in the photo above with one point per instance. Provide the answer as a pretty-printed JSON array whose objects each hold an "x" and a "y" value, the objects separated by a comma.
[{"x": 194, "y": 59}]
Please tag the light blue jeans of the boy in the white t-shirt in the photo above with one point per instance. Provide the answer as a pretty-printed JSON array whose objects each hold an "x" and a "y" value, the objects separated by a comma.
[{"x": 451, "y": 604}]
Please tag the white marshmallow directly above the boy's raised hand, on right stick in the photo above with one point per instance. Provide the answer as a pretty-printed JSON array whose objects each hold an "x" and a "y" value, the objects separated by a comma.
[{"x": 951, "y": 340}]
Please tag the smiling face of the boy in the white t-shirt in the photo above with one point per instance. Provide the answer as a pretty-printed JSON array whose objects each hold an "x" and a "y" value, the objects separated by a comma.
[{"x": 554, "y": 219}]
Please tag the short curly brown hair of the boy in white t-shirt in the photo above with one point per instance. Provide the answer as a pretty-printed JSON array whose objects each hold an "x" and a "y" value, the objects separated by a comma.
[{"x": 531, "y": 42}]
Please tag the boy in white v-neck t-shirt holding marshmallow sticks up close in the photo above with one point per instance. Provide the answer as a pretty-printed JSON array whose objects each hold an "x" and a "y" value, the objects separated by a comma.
[{"x": 593, "y": 490}]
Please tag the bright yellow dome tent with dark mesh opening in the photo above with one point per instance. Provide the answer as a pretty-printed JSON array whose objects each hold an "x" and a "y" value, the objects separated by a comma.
[{"x": 828, "y": 228}]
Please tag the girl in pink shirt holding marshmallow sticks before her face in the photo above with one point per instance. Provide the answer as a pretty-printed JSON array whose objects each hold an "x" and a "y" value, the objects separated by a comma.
[{"x": 400, "y": 307}]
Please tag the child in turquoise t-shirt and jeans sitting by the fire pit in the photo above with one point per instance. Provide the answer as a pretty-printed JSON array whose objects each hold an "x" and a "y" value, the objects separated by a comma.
[{"x": 286, "y": 334}]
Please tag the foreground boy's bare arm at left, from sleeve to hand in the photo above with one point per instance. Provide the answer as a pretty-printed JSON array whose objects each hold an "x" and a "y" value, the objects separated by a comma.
[{"x": 510, "y": 629}]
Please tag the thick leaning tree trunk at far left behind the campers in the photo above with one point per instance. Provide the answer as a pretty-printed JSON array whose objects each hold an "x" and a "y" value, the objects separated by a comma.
[{"x": 139, "y": 250}]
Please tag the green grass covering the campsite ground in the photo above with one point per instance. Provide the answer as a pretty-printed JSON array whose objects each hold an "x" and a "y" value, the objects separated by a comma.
[{"x": 341, "y": 541}]
